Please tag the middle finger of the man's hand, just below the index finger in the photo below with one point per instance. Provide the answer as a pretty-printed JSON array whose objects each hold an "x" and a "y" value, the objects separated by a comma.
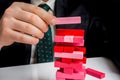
[{"x": 31, "y": 19}]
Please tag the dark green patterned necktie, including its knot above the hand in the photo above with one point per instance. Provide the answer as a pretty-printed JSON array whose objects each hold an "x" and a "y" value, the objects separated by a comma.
[{"x": 45, "y": 45}]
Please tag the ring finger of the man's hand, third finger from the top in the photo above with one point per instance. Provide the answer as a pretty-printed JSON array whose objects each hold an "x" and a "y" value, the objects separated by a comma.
[{"x": 27, "y": 28}]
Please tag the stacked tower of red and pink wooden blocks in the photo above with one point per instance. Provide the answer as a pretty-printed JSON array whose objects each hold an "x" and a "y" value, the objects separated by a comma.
[{"x": 69, "y": 53}]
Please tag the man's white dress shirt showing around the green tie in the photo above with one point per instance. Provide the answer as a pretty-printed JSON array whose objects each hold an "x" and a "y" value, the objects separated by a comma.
[{"x": 50, "y": 3}]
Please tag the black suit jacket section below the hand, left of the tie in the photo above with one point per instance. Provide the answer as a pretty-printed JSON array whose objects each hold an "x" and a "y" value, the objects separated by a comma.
[{"x": 15, "y": 54}]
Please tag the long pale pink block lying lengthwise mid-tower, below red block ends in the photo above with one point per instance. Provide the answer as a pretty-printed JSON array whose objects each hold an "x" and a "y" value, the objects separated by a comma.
[{"x": 74, "y": 55}]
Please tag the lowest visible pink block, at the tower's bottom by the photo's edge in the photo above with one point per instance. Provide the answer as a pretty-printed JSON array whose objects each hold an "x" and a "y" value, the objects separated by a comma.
[{"x": 79, "y": 75}]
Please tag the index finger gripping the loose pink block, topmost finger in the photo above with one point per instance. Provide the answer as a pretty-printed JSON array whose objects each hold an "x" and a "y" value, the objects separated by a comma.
[{"x": 44, "y": 15}]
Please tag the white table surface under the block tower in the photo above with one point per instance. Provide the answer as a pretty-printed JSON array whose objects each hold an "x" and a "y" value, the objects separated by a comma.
[{"x": 47, "y": 71}]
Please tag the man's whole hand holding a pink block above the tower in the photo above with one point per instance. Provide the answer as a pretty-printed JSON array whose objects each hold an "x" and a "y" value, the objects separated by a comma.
[{"x": 24, "y": 23}]
